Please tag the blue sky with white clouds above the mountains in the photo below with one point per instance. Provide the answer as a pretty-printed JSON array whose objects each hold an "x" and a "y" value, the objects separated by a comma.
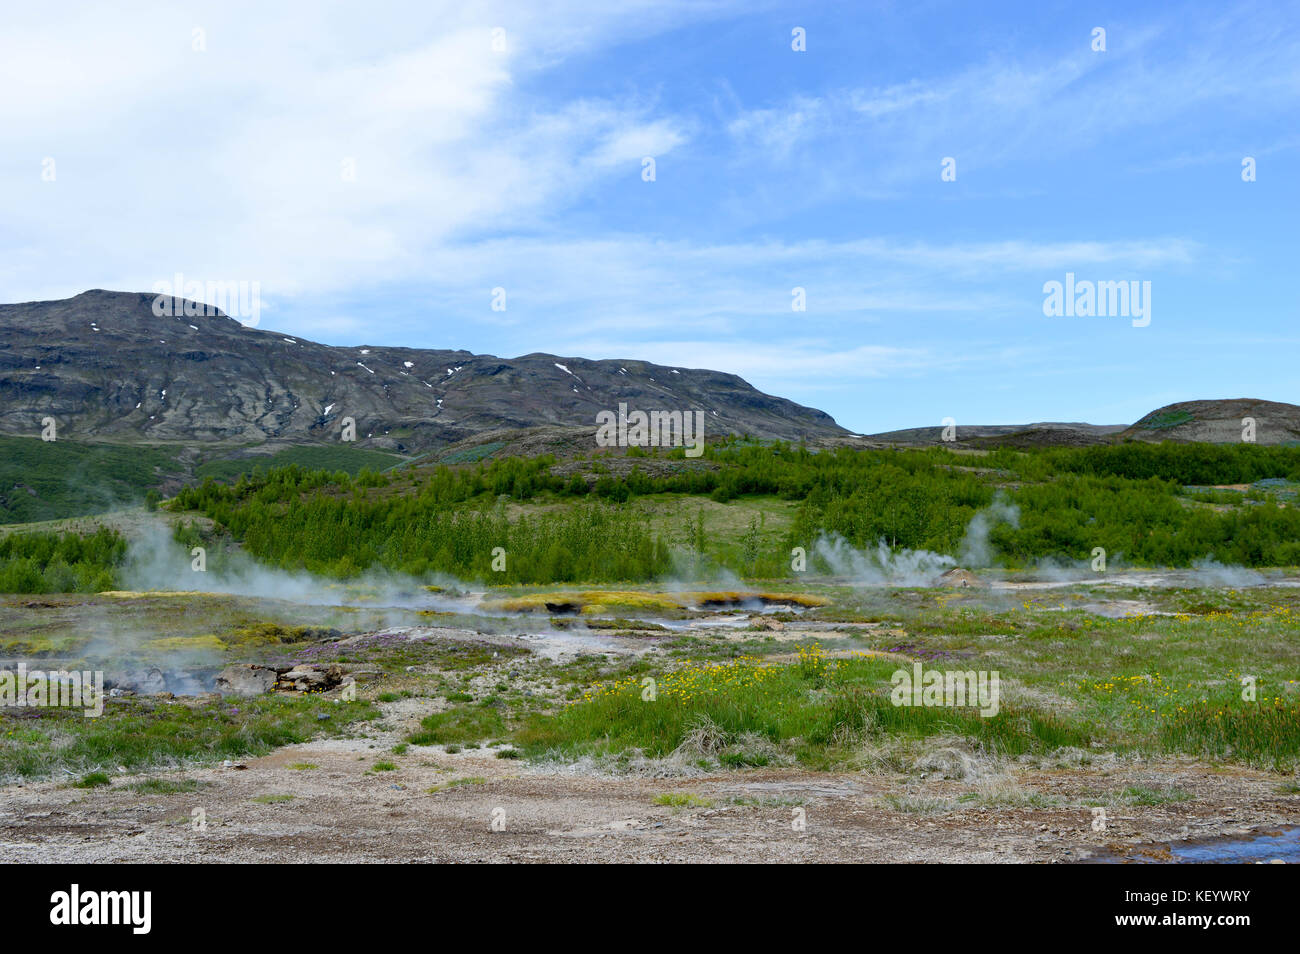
[{"x": 388, "y": 172}]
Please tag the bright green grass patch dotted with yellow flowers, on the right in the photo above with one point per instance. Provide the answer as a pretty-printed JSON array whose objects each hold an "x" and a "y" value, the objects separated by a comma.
[{"x": 1147, "y": 686}]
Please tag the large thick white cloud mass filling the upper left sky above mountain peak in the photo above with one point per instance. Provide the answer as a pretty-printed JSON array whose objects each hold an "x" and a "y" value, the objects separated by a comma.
[{"x": 229, "y": 164}]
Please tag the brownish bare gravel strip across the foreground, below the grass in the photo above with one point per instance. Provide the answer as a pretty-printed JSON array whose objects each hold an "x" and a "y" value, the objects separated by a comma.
[{"x": 345, "y": 812}]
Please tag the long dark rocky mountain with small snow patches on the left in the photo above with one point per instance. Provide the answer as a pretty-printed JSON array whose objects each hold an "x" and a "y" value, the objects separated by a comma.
[{"x": 107, "y": 368}]
